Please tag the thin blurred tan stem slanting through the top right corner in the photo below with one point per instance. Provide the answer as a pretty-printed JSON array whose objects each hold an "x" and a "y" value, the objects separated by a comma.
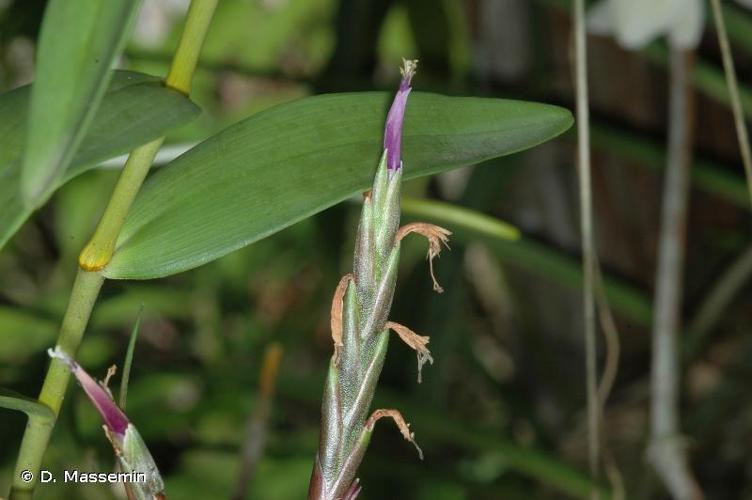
[{"x": 733, "y": 85}]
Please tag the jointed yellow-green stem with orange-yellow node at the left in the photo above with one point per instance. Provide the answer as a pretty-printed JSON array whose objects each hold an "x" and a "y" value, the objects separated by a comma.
[{"x": 98, "y": 253}]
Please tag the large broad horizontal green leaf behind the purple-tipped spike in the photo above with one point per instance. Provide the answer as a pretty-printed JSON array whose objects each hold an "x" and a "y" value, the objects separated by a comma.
[{"x": 292, "y": 161}]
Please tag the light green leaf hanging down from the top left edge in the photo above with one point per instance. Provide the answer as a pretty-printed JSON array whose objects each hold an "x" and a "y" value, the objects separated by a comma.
[{"x": 77, "y": 44}]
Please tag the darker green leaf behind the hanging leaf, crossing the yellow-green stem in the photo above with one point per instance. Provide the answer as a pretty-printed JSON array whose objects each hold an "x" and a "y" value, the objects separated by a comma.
[{"x": 136, "y": 109}]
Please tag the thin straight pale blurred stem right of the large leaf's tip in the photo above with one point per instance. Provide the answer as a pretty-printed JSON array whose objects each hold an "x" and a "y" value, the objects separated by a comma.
[{"x": 588, "y": 245}]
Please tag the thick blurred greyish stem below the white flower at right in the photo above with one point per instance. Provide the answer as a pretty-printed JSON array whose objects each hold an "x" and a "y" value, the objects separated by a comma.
[{"x": 666, "y": 450}]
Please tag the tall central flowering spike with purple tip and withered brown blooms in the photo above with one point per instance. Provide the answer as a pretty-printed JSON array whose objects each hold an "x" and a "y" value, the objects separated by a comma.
[{"x": 360, "y": 330}]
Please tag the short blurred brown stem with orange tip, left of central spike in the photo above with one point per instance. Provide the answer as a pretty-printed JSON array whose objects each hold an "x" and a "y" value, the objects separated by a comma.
[{"x": 258, "y": 422}]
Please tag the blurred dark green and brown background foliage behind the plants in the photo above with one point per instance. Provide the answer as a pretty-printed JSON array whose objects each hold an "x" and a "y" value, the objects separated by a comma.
[{"x": 501, "y": 412}]
